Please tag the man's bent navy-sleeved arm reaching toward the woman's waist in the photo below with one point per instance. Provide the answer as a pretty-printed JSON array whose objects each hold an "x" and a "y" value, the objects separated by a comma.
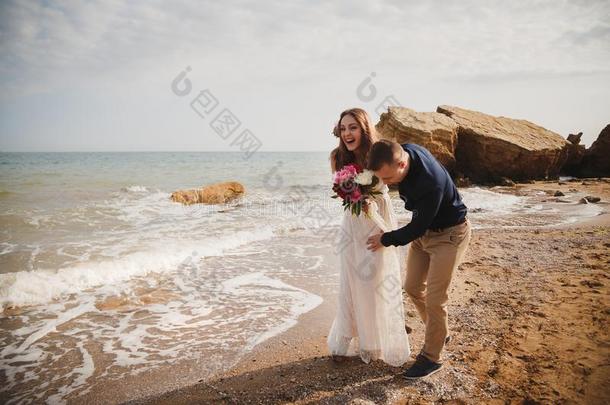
[{"x": 423, "y": 214}]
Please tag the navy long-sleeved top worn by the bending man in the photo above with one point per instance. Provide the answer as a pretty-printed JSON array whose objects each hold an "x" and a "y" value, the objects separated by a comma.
[{"x": 430, "y": 193}]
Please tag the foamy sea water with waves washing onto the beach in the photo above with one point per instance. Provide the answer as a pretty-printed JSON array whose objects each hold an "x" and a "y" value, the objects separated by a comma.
[{"x": 102, "y": 276}]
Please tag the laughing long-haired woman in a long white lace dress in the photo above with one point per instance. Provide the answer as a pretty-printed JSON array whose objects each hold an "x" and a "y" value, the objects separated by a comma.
[{"x": 370, "y": 308}]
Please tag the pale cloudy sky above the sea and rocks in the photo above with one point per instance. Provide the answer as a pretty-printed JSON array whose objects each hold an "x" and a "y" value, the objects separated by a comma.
[{"x": 104, "y": 75}]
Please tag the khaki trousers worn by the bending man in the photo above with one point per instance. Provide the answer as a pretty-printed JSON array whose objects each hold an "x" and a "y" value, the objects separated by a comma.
[{"x": 431, "y": 261}]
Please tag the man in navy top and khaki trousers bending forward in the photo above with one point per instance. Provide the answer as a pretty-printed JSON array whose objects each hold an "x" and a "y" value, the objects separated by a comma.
[{"x": 438, "y": 233}]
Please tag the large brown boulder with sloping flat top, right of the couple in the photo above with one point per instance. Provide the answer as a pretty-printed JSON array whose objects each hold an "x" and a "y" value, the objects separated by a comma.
[{"x": 490, "y": 147}]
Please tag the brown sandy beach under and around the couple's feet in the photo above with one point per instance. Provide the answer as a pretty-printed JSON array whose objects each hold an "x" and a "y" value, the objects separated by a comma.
[{"x": 528, "y": 314}]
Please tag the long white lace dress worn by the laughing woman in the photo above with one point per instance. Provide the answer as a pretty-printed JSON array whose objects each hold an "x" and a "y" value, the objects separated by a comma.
[{"x": 370, "y": 308}]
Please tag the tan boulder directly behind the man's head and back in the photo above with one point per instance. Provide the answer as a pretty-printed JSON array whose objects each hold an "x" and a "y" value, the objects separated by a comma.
[{"x": 436, "y": 132}]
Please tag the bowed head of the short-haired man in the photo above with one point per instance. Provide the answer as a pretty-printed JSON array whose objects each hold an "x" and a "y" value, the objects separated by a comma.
[{"x": 389, "y": 161}]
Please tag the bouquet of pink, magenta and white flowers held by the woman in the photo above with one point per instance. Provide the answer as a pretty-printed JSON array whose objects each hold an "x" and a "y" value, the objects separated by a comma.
[{"x": 355, "y": 185}]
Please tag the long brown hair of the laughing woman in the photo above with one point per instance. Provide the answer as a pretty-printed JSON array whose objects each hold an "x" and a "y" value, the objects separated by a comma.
[{"x": 343, "y": 156}]
